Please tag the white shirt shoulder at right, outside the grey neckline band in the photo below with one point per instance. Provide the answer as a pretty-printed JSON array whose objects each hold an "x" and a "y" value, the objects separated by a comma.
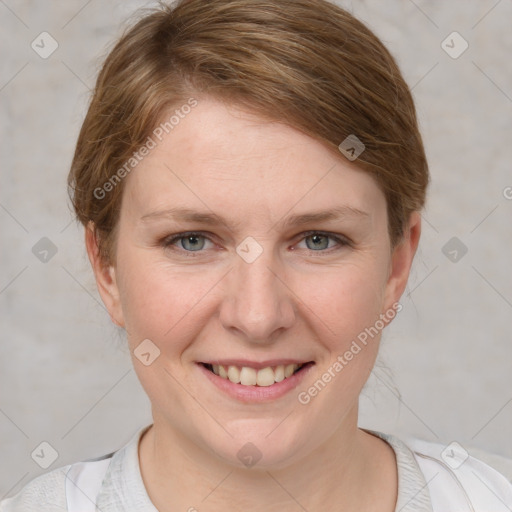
[{"x": 455, "y": 477}]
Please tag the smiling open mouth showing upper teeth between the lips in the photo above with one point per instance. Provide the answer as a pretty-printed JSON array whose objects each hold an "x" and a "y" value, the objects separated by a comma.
[{"x": 257, "y": 377}]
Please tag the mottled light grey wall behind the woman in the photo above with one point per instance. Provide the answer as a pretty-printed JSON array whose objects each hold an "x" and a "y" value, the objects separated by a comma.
[{"x": 65, "y": 374}]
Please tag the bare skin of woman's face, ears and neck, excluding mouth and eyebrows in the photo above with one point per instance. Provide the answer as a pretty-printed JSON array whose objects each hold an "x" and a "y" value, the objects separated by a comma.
[{"x": 294, "y": 300}]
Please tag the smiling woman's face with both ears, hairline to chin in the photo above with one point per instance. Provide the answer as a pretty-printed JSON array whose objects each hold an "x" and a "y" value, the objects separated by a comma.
[{"x": 217, "y": 263}]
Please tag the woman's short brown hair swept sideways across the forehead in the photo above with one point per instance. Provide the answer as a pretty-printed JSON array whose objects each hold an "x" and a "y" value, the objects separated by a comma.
[{"x": 306, "y": 63}]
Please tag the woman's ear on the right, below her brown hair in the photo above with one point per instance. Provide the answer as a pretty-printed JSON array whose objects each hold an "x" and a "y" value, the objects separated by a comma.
[{"x": 401, "y": 261}]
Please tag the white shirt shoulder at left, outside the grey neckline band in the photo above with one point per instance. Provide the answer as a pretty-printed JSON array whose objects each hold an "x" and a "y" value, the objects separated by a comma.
[{"x": 53, "y": 490}]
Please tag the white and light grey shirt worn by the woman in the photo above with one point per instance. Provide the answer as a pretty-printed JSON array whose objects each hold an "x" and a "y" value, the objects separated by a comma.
[{"x": 426, "y": 483}]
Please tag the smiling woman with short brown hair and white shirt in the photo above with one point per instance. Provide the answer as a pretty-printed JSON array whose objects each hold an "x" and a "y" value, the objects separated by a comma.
[{"x": 250, "y": 176}]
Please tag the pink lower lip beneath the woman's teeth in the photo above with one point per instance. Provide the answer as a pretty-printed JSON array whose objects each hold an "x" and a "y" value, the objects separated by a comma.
[{"x": 256, "y": 393}]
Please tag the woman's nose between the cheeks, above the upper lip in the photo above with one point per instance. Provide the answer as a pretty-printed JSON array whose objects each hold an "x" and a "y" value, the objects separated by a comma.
[{"x": 258, "y": 303}]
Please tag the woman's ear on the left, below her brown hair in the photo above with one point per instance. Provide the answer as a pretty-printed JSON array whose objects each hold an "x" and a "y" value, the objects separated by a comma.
[{"x": 105, "y": 276}]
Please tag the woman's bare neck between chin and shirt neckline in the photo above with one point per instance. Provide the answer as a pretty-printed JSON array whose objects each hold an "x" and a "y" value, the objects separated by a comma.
[{"x": 351, "y": 470}]
